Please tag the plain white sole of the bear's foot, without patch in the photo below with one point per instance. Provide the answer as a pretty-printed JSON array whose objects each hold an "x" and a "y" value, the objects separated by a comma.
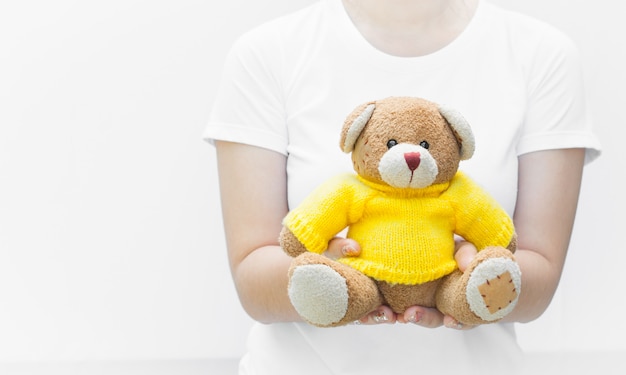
[{"x": 319, "y": 294}]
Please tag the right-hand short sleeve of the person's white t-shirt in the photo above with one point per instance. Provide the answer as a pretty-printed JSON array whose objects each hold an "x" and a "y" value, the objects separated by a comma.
[{"x": 557, "y": 115}]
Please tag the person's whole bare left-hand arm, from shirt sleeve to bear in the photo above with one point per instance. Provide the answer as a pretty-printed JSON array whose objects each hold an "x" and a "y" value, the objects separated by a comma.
[{"x": 254, "y": 203}]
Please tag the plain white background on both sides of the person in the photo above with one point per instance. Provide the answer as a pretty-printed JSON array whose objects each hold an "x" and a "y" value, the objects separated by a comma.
[{"x": 111, "y": 242}]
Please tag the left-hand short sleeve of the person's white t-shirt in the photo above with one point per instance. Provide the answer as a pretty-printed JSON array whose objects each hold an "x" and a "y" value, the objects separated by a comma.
[{"x": 249, "y": 106}]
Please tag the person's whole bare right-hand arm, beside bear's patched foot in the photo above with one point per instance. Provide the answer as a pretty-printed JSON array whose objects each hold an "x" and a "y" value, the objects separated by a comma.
[{"x": 548, "y": 191}]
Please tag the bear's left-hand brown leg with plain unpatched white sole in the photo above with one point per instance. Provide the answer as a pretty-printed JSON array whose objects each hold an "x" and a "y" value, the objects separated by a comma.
[{"x": 319, "y": 290}]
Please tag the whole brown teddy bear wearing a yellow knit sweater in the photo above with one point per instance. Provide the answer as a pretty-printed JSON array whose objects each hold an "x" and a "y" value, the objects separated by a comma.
[{"x": 406, "y": 205}]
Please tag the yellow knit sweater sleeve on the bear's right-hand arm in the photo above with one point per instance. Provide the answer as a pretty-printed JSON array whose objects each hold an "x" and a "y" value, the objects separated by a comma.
[{"x": 479, "y": 217}]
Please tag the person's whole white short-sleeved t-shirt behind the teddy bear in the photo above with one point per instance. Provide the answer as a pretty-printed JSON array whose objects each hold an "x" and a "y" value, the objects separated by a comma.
[{"x": 289, "y": 84}]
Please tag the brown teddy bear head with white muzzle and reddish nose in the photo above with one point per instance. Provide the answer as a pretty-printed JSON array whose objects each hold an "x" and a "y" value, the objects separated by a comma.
[{"x": 406, "y": 142}]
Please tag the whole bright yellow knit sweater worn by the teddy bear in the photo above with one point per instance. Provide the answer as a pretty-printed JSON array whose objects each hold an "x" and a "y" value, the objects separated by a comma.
[{"x": 406, "y": 235}]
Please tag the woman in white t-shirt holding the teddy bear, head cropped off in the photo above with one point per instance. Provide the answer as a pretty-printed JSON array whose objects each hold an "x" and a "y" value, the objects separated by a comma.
[{"x": 286, "y": 89}]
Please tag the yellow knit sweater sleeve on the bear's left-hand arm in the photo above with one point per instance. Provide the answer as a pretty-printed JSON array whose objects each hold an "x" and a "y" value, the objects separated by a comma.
[{"x": 325, "y": 212}]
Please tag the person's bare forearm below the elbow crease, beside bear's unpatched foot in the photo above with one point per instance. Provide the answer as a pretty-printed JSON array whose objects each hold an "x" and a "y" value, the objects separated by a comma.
[{"x": 261, "y": 282}]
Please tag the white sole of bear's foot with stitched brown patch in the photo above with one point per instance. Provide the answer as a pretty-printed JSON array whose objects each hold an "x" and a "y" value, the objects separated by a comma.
[{"x": 493, "y": 288}]
